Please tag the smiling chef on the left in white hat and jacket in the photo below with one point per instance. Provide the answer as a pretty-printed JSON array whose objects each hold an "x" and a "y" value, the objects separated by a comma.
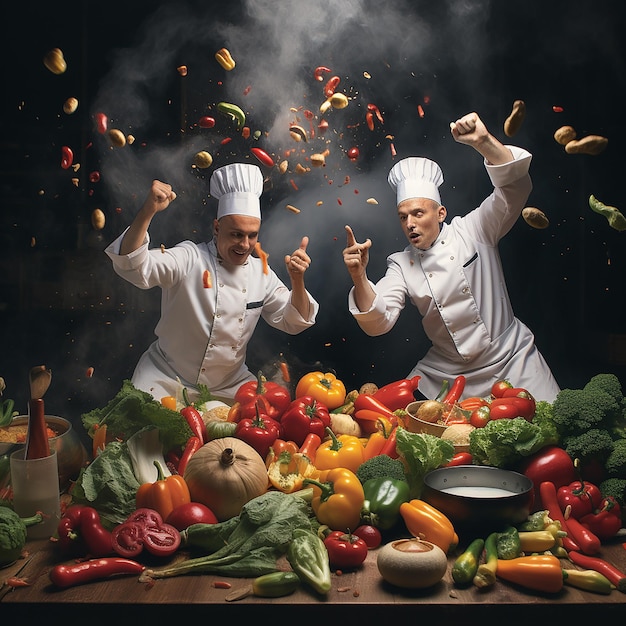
[{"x": 214, "y": 293}]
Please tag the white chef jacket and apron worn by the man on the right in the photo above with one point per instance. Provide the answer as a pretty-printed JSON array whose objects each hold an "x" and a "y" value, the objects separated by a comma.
[{"x": 459, "y": 289}]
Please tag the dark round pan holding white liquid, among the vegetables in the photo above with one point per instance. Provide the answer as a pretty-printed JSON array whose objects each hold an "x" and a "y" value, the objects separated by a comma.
[{"x": 481, "y": 497}]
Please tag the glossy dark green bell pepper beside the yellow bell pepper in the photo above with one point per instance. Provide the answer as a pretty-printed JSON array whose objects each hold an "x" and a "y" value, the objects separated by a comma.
[{"x": 383, "y": 497}]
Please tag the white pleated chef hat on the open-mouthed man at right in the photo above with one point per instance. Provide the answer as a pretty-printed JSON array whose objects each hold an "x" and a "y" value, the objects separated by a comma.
[{"x": 416, "y": 177}]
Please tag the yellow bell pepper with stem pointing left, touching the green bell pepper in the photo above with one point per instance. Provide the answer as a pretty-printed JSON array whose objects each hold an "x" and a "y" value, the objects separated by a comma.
[{"x": 338, "y": 498}]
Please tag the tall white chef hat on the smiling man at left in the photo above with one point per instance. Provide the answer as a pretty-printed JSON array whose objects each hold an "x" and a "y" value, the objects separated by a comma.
[{"x": 237, "y": 188}]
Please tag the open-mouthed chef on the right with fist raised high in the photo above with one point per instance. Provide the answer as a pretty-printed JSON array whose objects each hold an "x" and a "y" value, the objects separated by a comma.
[{"x": 453, "y": 274}]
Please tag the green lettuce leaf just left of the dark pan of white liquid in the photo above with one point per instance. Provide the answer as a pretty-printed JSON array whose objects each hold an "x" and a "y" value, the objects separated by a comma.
[{"x": 421, "y": 453}]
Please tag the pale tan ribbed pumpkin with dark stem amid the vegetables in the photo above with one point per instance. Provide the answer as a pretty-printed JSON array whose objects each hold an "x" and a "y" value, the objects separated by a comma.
[{"x": 224, "y": 474}]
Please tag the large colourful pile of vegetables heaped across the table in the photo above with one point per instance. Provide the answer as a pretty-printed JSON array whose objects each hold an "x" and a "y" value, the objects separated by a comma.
[{"x": 325, "y": 476}]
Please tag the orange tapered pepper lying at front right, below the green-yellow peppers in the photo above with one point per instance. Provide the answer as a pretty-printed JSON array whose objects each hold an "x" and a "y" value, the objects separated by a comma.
[{"x": 541, "y": 572}]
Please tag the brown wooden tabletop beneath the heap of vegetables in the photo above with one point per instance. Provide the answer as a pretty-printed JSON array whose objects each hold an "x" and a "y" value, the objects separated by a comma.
[{"x": 354, "y": 595}]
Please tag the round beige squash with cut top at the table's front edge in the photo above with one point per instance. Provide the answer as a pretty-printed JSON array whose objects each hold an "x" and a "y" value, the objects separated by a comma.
[{"x": 412, "y": 563}]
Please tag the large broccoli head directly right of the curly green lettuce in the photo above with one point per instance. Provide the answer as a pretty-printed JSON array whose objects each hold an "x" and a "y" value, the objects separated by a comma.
[{"x": 575, "y": 411}]
